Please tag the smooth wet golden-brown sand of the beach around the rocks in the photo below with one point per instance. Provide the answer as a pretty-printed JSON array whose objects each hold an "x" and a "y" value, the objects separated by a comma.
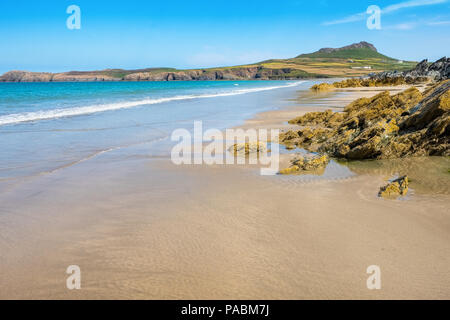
[{"x": 143, "y": 228}]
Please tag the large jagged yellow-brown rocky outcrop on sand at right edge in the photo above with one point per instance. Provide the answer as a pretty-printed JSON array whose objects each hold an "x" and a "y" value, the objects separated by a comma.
[{"x": 385, "y": 126}]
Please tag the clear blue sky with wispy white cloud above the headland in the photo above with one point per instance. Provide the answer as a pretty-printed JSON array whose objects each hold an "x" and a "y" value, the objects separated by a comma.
[{"x": 187, "y": 34}]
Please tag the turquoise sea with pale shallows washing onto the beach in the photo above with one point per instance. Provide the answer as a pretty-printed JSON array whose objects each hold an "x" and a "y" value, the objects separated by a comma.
[{"x": 48, "y": 126}]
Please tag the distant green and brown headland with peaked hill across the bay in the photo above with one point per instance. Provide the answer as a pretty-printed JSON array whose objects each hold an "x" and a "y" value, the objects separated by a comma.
[{"x": 354, "y": 60}]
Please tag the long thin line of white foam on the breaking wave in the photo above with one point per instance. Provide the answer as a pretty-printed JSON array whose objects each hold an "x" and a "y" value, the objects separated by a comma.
[{"x": 77, "y": 111}]
